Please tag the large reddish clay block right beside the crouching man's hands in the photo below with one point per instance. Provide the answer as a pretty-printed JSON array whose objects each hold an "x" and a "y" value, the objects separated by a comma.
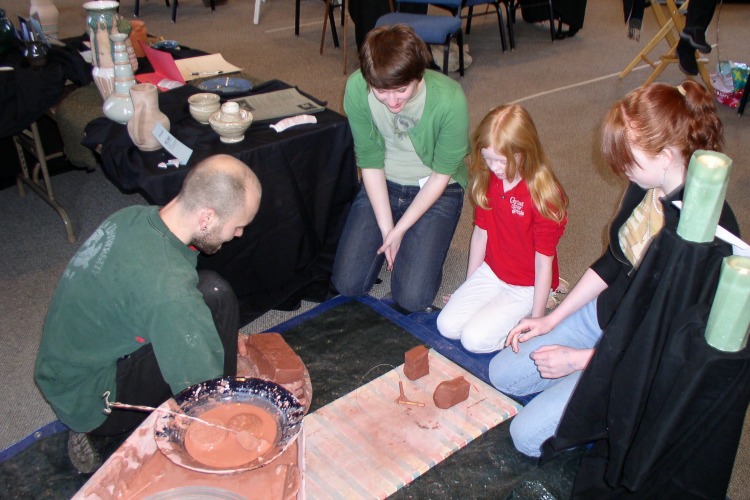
[{"x": 274, "y": 358}]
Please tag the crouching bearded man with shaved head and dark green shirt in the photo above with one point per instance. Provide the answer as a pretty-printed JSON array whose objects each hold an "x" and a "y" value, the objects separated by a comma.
[{"x": 131, "y": 316}]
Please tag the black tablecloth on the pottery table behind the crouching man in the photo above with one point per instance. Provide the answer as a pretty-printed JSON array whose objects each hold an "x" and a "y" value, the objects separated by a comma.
[{"x": 309, "y": 178}]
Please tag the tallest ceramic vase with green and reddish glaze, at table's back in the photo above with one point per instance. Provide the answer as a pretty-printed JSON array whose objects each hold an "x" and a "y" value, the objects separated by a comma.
[{"x": 101, "y": 21}]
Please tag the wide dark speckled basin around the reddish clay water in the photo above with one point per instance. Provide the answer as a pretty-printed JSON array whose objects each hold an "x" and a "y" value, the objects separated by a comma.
[{"x": 170, "y": 430}]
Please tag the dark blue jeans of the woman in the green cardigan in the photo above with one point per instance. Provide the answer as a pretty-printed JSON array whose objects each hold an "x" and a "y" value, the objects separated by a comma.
[{"x": 418, "y": 267}]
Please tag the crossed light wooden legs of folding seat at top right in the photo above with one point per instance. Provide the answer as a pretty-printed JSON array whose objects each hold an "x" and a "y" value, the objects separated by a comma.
[{"x": 671, "y": 20}]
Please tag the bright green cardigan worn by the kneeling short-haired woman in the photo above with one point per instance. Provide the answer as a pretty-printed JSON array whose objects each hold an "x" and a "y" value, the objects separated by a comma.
[{"x": 441, "y": 138}]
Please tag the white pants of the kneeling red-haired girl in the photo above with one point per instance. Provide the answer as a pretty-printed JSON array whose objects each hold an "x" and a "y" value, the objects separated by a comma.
[{"x": 483, "y": 310}]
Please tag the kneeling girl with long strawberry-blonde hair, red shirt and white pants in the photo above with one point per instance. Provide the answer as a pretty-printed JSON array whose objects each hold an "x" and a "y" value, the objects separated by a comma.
[{"x": 519, "y": 216}]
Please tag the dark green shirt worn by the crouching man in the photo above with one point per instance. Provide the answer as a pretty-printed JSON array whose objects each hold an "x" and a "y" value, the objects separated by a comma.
[{"x": 132, "y": 282}]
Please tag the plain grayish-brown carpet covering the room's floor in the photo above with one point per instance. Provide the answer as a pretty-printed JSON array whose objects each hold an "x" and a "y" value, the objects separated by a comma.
[{"x": 567, "y": 86}]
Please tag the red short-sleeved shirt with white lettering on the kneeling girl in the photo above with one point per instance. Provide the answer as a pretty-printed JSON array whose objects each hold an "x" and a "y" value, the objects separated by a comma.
[{"x": 516, "y": 230}]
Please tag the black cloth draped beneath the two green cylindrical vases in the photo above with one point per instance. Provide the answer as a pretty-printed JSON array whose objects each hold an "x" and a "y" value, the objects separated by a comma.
[{"x": 663, "y": 409}]
